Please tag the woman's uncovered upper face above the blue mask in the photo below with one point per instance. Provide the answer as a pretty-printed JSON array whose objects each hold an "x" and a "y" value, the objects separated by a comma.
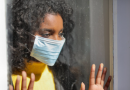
[{"x": 51, "y": 27}]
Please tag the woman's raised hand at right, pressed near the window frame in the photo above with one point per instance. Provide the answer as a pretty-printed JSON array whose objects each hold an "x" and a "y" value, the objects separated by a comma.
[{"x": 99, "y": 79}]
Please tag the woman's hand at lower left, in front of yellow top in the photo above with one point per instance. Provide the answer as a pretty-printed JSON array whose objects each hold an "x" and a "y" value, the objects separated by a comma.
[{"x": 23, "y": 86}]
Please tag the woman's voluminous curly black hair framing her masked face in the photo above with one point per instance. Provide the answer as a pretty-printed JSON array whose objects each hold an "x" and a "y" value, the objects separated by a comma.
[{"x": 25, "y": 16}]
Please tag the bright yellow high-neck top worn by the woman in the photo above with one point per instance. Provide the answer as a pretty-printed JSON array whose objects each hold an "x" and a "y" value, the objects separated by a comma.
[{"x": 44, "y": 79}]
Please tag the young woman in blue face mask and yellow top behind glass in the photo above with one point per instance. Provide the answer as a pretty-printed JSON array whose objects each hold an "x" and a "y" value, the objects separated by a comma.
[{"x": 38, "y": 29}]
